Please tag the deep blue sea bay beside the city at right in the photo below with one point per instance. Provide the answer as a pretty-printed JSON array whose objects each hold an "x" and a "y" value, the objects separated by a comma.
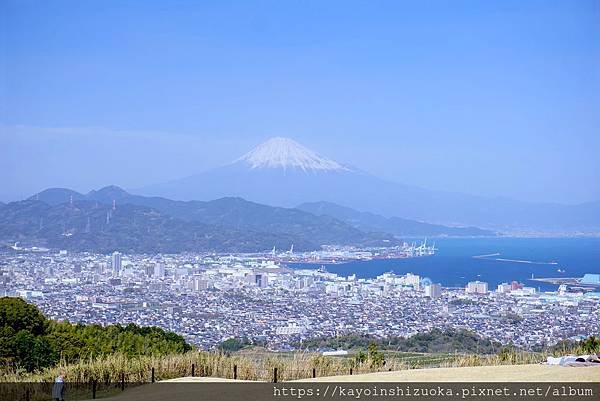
[{"x": 453, "y": 264}]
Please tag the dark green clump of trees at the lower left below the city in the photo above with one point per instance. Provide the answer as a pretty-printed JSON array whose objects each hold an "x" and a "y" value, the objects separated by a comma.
[{"x": 30, "y": 341}]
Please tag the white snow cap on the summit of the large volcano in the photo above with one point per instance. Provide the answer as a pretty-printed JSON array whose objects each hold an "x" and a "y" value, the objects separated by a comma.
[{"x": 286, "y": 153}]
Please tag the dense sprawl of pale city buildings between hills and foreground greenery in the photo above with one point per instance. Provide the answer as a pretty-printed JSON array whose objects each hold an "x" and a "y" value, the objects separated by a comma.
[{"x": 209, "y": 298}]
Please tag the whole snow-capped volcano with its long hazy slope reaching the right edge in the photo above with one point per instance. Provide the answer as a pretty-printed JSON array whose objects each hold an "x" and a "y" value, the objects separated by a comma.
[{"x": 282, "y": 172}]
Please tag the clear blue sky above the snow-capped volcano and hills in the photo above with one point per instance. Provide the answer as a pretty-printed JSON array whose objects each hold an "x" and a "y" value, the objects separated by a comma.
[{"x": 495, "y": 99}]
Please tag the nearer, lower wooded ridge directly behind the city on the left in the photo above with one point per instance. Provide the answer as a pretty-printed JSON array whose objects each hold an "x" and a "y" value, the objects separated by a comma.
[{"x": 95, "y": 227}]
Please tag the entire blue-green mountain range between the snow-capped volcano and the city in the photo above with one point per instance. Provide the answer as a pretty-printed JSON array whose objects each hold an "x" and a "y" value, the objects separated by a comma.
[{"x": 257, "y": 227}]
